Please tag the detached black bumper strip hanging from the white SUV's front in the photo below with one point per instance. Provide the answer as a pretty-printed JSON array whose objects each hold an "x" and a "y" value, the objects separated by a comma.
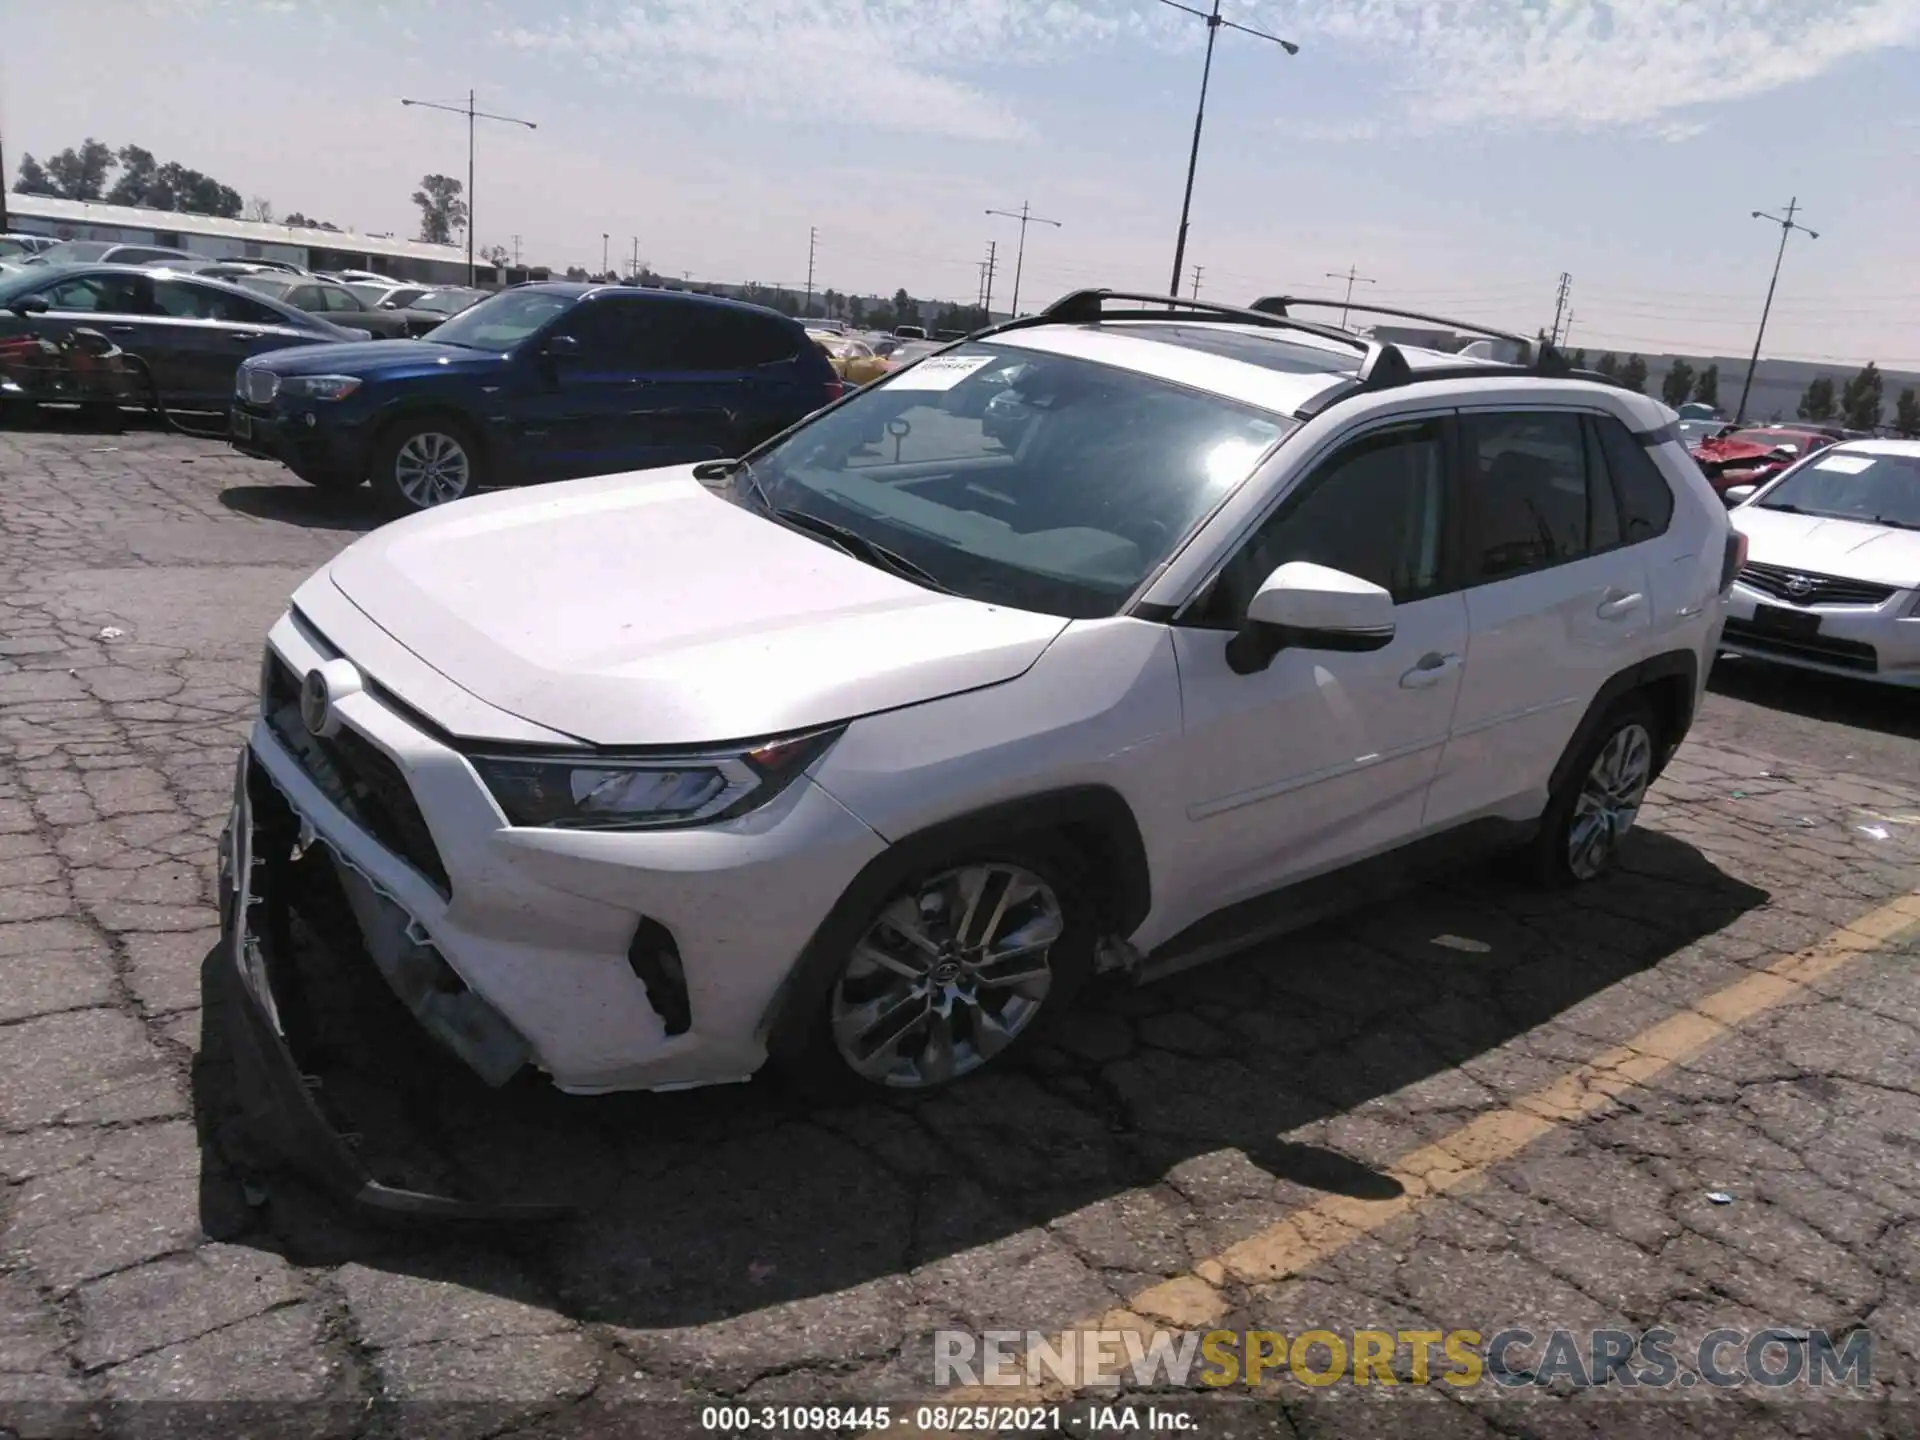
[{"x": 279, "y": 1101}]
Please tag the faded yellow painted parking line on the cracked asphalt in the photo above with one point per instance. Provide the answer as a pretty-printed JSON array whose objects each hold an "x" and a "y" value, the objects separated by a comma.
[{"x": 1312, "y": 1236}]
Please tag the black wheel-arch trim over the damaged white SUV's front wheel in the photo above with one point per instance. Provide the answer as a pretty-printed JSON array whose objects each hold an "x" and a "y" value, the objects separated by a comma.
[{"x": 1095, "y": 819}]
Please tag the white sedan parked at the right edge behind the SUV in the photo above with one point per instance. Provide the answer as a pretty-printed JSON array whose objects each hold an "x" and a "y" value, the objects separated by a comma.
[{"x": 1833, "y": 577}]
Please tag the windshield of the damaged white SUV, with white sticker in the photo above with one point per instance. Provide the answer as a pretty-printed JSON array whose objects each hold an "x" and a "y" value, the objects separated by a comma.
[{"x": 1013, "y": 477}]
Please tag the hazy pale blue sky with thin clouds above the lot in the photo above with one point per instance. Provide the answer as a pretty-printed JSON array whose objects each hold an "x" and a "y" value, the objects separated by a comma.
[{"x": 1458, "y": 156}]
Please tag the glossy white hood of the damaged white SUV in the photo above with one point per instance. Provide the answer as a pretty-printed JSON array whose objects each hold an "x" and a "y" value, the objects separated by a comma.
[{"x": 644, "y": 610}]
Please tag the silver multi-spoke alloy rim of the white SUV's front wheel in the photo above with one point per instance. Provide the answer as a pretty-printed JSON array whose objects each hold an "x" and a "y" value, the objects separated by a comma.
[{"x": 948, "y": 976}]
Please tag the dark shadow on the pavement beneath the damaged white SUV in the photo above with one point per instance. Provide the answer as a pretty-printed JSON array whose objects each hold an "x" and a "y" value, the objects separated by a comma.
[{"x": 1218, "y": 1101}]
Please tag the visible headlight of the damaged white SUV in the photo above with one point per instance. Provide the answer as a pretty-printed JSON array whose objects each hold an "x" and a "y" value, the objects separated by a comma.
[{"x": 646, "y": 792}]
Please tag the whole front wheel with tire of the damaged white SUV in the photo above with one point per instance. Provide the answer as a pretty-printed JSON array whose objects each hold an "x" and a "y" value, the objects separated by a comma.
[{"x": 955, "y": 971}]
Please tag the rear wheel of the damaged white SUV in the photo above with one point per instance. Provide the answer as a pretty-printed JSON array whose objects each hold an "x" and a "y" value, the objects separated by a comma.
[{"x": 1591, "y": 817}]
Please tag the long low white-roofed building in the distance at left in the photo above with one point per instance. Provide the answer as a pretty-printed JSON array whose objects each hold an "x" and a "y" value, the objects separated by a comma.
[{"x": 222, "y": 239}]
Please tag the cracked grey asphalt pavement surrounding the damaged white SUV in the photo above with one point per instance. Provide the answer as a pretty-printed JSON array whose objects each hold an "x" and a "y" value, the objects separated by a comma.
[{"x": 752, "y": 1249}]
